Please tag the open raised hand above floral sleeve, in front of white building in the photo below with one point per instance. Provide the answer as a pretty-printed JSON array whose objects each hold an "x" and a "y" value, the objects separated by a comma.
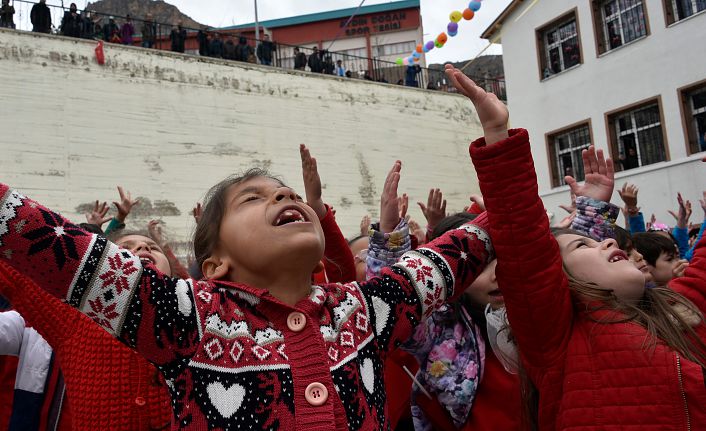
[{"x": 600, "y": 176}]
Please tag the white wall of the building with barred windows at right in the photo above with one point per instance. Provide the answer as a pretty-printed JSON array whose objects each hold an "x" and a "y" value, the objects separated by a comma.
[{"x": 669, "y": 58}]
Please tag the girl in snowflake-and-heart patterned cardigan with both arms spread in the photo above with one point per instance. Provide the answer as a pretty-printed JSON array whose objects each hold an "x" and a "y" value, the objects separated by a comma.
[{"x": 255, "y": 345}]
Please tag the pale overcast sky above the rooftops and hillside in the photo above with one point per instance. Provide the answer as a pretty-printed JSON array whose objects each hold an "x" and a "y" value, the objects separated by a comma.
[{"x": 435, "y": 15}]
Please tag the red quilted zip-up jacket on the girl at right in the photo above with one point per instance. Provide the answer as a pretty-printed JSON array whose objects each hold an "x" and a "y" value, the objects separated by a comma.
[{"x": 590, "y": 376}]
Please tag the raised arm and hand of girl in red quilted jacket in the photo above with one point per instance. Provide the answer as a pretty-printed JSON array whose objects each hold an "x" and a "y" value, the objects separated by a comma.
[{"x": 529, "y": 270}]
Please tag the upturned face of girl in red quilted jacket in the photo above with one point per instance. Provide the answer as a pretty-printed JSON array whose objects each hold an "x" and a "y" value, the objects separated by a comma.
[{"x": 603, "y": 264}]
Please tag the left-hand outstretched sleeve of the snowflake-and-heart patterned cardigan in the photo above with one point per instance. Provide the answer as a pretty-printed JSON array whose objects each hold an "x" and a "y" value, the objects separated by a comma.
[{"x": 137, "y": 304}]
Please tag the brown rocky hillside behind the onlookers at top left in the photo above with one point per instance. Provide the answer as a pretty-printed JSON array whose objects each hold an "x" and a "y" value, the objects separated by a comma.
[{"x": 161, "y": 11}]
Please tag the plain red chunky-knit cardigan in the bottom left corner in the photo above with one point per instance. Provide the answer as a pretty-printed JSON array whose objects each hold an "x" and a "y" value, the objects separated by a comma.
[{"x": 108, "y": 385}]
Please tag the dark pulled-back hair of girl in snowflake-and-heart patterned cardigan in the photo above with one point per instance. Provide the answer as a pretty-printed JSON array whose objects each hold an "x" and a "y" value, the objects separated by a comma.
[{"x": 214, "y": 208}]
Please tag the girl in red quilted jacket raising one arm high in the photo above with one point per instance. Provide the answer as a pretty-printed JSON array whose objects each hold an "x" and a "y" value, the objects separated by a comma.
[{"x": 604, "y": 352}]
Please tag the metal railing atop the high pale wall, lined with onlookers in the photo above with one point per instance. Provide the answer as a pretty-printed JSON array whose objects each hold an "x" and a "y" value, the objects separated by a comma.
[{"x": 329, "y": 62}]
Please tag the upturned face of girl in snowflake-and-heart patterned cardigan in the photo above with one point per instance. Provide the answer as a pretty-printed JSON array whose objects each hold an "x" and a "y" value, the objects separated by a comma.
[{"x": 268, "y": 226}]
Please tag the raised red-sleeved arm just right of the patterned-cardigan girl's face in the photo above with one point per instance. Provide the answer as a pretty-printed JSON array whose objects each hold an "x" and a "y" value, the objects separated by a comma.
[{"x": 338, "y": 259}]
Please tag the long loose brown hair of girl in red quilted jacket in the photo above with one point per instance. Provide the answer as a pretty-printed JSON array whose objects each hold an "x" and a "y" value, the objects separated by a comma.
[{"x": 666, "y": 315}]
